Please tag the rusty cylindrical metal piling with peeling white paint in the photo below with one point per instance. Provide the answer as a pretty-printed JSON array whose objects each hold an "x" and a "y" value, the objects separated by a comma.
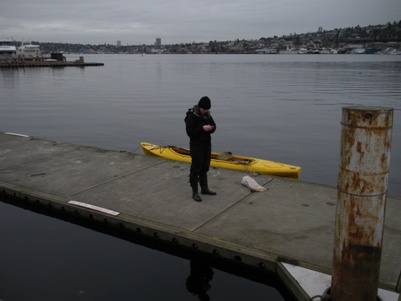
[{"x": 361, "y": 200}]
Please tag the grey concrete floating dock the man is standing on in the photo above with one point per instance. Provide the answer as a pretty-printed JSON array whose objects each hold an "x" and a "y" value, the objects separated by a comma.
[{"x": 288, "y": 227}]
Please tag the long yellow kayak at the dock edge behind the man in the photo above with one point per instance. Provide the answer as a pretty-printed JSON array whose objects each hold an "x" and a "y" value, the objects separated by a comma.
[{"x": 225, "y": 160}]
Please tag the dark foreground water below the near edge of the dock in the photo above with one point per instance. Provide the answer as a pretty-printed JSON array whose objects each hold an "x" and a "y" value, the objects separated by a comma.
[{"x": 47, "y": 259}]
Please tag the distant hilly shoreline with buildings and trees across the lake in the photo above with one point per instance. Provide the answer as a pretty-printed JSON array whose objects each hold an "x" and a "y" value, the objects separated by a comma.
[{"x": 379, "y": 38}]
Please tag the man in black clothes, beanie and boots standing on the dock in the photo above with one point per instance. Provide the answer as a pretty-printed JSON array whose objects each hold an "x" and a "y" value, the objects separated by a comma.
[{"x": 199, "y": 127}]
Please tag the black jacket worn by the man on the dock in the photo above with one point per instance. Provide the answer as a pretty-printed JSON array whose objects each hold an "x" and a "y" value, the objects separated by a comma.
[{"x": 194, "y": 122}]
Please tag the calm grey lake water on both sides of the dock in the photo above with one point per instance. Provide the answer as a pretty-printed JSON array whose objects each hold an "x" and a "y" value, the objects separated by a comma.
[{"x": 279, "y": 107}]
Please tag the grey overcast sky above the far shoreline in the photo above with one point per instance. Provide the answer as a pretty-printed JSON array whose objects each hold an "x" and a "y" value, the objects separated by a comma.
[{"x": 183, "y": 21}]
